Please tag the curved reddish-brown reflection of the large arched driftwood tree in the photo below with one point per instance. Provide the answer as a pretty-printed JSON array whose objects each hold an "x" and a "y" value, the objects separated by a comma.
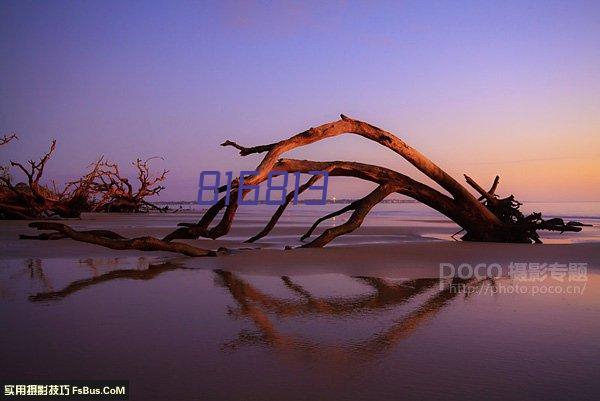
[{"x": 257, "y": 305}]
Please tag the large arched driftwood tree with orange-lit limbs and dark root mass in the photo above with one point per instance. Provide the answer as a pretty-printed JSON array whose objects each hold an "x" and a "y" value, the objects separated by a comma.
[{"x": 482, "y": 217}]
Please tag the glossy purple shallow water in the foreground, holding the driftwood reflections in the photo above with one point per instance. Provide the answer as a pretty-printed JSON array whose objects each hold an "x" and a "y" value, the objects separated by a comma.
[{"x": 178, "y": 333}]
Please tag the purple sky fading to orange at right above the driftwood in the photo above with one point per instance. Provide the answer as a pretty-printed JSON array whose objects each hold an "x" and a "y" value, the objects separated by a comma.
[{"x": 485, "y": 88}]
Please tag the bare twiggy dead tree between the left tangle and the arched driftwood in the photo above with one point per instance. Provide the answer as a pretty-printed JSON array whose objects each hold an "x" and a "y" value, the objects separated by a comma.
[{"x": 115, "y": 193}]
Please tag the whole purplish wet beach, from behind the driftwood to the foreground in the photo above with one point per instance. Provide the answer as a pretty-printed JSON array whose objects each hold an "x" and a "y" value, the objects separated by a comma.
[{"x": 364, "y": 319}]
